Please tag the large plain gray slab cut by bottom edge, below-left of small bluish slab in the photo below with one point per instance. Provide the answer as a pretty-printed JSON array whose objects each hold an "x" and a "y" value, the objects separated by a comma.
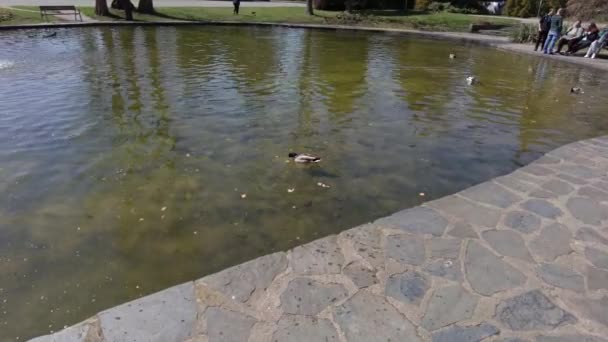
[{"x": 366, "y": 317}]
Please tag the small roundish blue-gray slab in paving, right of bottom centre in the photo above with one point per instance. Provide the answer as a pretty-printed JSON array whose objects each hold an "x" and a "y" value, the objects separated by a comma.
[{"x": 408, "y": 287}]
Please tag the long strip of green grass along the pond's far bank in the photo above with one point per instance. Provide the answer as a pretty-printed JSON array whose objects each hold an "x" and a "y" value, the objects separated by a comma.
[{"x": 415, "y": 20}]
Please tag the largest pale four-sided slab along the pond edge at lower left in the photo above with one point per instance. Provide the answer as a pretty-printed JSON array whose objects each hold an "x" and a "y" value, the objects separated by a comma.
[{"x": 165, "y": 316}]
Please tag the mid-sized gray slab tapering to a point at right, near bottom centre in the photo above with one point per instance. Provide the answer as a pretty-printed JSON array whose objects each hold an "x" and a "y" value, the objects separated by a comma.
[{"x": 304, "y": 296}]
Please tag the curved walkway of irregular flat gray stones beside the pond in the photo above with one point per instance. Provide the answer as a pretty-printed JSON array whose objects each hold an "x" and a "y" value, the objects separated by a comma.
[{"x": 523, "y": 257}]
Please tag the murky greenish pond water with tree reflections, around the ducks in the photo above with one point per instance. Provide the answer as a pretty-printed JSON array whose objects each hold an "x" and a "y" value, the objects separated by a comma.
[{"x": 132, "y": 159}]
